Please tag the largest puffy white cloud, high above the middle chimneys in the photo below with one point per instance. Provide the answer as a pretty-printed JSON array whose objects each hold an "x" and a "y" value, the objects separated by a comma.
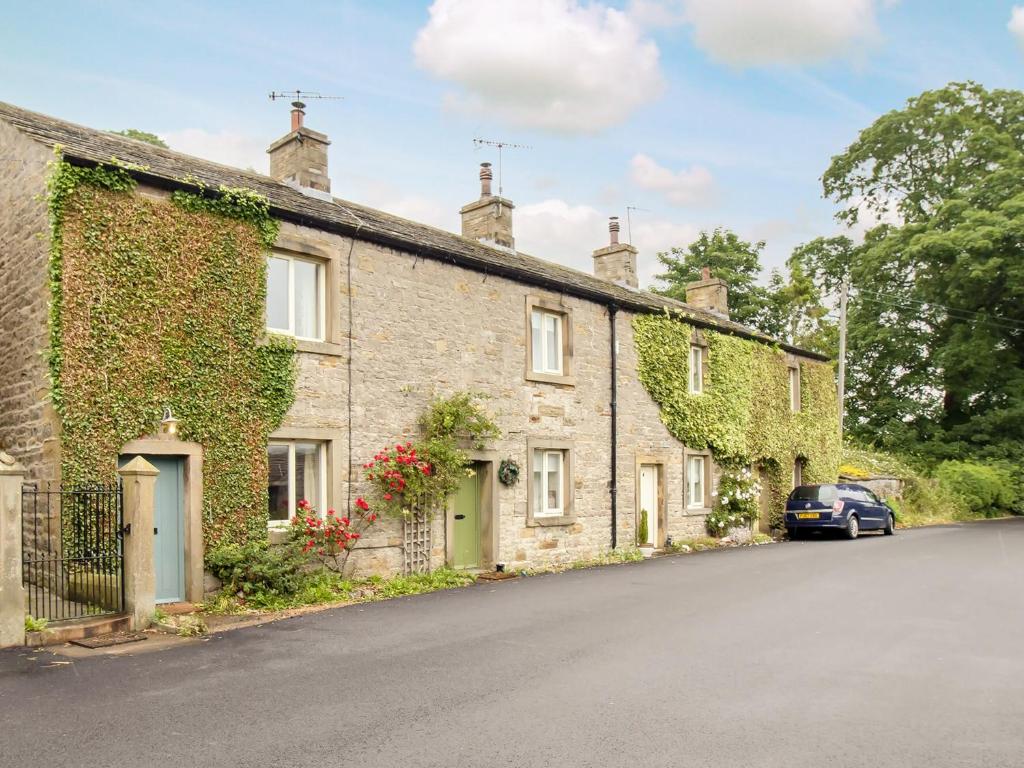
[{"x": 551, "y": 65}]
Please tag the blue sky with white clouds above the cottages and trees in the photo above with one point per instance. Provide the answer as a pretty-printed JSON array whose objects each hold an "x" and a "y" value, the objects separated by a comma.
[{"x": 686, "y": 115}]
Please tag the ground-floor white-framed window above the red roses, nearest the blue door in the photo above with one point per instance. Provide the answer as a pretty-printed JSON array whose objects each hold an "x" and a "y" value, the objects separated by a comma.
[{"x": 296, "y": 474}]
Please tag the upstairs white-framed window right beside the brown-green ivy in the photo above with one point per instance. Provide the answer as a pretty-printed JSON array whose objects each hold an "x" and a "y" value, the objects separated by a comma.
[{"x": 295, "y": 296}]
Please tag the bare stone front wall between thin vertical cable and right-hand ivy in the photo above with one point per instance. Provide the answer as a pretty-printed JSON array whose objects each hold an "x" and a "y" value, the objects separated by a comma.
[{"x": 423, "y": 327}]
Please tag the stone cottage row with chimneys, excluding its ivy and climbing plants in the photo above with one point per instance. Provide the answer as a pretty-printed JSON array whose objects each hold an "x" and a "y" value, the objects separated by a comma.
[{"x": 385, "y": 314}]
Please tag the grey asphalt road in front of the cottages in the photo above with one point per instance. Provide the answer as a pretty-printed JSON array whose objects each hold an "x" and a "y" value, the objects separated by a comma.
[{"x": 886, "y": 652}]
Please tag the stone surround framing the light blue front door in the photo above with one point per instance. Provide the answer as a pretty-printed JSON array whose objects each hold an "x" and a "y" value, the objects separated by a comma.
[{"x": 193, "y": 455}]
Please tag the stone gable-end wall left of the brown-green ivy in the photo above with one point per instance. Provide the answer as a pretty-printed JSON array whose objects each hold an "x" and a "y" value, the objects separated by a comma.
[{"x": 29, "y": 428}]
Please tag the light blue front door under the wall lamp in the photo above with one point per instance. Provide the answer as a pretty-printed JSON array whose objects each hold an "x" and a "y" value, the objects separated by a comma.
[{"x": 169, "y": 522}]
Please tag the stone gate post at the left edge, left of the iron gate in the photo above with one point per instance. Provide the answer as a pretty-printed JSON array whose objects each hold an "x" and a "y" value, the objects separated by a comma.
[{"x": 12, "y": 589}]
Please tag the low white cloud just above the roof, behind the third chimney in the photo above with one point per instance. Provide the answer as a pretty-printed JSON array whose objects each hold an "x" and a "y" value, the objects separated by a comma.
[{"x": 568, "y": 234}]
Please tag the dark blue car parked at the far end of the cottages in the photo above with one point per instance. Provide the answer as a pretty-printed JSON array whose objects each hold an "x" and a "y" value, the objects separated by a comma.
[{"x": 845, "y": 507}]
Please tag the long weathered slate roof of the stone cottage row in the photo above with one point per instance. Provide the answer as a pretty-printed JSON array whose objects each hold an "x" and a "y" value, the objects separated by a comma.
[{"x": 168, "y": 169}]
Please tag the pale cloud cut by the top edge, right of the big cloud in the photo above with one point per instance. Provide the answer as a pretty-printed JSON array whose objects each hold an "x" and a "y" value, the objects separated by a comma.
[{"x": 753, "y": 33}]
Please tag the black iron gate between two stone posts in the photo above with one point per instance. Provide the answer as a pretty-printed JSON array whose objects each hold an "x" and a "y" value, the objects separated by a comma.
[{"x": 72, "y": 550}]
